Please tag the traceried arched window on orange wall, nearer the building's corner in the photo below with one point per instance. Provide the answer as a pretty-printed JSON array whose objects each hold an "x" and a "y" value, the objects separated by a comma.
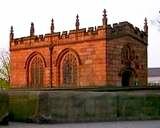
[{"x": 69, "y": 70}]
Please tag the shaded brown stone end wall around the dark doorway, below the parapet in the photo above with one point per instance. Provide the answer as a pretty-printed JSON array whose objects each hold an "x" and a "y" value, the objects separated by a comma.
[{"x": 115, "y": 65}]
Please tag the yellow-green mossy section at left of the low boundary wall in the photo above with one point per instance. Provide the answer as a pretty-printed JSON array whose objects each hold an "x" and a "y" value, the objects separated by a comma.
[{"x": 23, "y": 106}]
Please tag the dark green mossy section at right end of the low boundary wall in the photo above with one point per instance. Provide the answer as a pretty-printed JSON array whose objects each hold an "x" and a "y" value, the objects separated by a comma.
[{"x": 139, "y": 106}]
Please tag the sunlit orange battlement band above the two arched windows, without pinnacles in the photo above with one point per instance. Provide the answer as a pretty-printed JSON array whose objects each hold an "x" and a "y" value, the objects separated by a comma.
[{"x": 71, "y": 36}]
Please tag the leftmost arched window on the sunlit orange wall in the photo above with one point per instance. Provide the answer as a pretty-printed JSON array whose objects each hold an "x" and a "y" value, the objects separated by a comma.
[{"x": 36, "y": 72}]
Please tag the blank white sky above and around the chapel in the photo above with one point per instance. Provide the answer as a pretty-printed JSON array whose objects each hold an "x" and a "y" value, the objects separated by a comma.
[{"x": 20, "y": 13}]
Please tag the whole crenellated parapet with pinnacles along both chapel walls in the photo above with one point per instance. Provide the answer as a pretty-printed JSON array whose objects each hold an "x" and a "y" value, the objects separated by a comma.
[{"x": 78, "y": 35}]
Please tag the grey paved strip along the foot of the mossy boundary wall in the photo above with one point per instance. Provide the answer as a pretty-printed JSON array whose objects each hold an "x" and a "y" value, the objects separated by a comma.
[{"x": 116, "y": 124}]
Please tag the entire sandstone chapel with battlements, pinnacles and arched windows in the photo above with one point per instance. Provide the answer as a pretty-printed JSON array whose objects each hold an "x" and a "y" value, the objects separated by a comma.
[{"x": 104, "y": 55}]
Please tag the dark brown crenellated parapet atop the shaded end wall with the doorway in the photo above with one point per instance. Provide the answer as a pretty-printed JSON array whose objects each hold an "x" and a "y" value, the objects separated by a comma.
[{"x": 125, "y": 28}]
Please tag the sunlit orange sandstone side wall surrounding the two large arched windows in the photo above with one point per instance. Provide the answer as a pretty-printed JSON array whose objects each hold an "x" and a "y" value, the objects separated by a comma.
[{"x": 89, "y": 48}]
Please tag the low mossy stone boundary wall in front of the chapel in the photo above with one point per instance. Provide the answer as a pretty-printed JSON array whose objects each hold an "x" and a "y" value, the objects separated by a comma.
[{"x": 75, "y": 106}]
